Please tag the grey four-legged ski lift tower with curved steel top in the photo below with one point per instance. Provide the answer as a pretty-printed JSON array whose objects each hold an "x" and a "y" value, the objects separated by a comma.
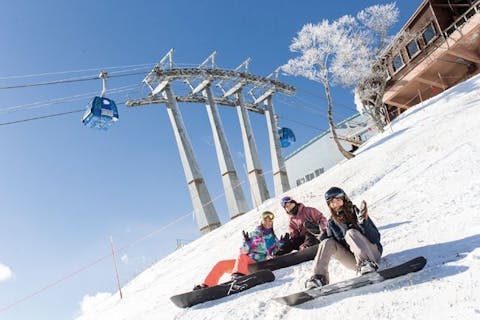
[{"x": 212, "y": 86}]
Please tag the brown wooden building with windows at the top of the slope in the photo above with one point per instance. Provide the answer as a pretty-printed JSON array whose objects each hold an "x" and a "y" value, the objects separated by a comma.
[{"x": 437, "y": 48}]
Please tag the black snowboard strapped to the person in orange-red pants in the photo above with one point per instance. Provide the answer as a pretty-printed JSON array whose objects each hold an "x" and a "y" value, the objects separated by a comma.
[{"x": 192, "y": 298}]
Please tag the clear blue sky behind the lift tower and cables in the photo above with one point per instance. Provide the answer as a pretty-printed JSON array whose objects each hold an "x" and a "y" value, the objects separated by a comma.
[{"x": 66, "y": 189}]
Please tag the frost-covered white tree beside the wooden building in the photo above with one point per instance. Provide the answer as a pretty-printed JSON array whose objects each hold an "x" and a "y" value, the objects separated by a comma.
[{"x": 344, "y": 52}]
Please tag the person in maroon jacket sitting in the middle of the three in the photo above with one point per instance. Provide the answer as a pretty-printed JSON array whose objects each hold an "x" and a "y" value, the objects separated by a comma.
[{"x": 299, "y": 237}]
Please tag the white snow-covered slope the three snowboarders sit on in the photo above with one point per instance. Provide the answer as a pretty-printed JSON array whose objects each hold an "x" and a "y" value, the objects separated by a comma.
[{"x": 421, "y": 180}]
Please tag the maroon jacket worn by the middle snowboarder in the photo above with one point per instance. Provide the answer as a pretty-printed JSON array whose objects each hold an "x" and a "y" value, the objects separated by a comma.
[{"x": 297, "y": 224}]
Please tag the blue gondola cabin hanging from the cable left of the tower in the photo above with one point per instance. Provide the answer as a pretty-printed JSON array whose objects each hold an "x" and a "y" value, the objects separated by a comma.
[{"x": 101, "y": 112}]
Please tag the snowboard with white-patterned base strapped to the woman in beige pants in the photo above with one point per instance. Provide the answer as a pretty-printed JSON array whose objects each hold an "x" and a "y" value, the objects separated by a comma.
[{"x": 413, "y": 265}]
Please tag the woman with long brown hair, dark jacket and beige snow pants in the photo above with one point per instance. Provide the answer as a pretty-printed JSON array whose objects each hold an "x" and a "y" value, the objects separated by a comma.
[{"x": 351, "y": 237}]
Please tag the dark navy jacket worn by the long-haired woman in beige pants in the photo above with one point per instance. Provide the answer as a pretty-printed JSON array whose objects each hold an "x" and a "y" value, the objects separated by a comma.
[{"x": 367, "y": 228}]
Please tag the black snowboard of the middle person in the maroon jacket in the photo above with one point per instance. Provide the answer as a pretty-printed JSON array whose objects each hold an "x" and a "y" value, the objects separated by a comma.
[{"x": 284, "y": 261}]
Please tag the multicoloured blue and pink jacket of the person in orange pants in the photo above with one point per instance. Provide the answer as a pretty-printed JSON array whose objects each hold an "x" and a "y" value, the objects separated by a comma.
[{"x": 263, "y": 244}]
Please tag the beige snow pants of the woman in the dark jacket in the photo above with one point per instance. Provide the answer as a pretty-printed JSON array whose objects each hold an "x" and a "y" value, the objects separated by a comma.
[{"x": 360, "y": 249}]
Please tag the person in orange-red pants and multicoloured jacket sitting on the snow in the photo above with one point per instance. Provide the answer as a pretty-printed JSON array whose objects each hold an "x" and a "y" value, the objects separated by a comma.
[{"x": 258, "y": 245}]
